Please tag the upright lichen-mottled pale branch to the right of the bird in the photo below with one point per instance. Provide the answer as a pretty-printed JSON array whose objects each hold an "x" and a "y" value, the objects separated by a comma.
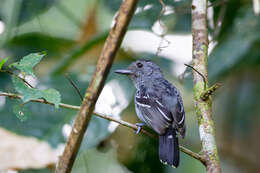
[{"x": 203, "y": 108}]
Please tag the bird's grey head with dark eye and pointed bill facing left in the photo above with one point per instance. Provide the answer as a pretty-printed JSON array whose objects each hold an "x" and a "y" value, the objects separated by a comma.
[{"x": 142, "y": 72}]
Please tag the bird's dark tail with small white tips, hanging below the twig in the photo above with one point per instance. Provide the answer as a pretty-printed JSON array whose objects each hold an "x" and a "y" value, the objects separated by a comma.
[{"x": 169, "y": 148}]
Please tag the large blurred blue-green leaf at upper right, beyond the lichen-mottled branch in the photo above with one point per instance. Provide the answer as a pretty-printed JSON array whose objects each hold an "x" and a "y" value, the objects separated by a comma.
[{"x": 243, "y": 40}]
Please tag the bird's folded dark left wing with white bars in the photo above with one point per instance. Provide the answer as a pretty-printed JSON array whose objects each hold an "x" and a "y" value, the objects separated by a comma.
[{"x": 153, "y": 112}]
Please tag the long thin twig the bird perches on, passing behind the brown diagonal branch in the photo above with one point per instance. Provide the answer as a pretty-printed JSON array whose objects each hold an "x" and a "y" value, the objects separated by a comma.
[{"x": 110, "y": 118}]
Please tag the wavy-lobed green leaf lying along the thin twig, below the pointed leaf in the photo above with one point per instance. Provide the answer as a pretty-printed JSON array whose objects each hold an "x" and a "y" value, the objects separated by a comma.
[{"x": 51, "y": 95}]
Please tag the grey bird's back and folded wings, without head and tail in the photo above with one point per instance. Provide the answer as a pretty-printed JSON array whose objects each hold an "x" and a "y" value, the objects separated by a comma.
[{"x": 160, "y": 106}]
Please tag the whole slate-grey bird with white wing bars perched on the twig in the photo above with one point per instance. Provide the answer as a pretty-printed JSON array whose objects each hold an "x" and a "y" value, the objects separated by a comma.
[{"x": 159, "y": 105}]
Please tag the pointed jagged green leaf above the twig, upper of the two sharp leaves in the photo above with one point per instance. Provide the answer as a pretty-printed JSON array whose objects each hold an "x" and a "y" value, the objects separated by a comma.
[{"x": 27, "y": 63}]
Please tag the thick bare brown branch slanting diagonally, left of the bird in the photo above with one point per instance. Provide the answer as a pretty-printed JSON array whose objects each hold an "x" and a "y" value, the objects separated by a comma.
[{"x": 104, "y": 63}]
